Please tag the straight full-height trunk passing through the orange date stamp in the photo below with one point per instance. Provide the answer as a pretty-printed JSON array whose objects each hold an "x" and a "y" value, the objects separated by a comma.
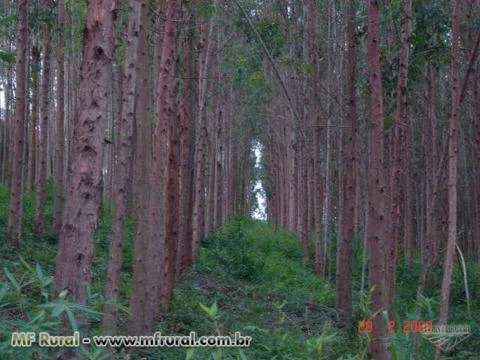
[{"x": 376, "y": 189}]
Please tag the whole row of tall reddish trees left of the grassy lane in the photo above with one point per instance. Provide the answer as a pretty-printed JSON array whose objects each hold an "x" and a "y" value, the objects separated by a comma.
[{"x": 143, "y": 111}]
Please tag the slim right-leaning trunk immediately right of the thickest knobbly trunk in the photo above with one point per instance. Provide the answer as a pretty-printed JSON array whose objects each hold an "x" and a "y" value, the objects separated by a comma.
[{"x": 124, "y": 150}]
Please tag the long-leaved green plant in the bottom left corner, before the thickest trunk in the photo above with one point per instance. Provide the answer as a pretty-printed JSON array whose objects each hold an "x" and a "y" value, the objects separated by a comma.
[{"x": 26, "y": 305}]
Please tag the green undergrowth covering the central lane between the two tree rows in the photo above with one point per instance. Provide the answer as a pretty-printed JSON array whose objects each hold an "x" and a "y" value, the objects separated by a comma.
[{"x": 256, "y": 279}]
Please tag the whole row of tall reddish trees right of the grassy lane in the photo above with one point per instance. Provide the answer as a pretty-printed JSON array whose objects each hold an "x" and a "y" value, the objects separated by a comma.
[{"x": 376, "y": 146}]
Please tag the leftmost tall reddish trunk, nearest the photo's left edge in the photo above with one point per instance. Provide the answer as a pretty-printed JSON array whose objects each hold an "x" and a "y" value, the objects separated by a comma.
[{"x": 16, "y": 189}]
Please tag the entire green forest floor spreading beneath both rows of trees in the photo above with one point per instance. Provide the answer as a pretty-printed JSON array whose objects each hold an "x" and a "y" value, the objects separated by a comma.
[{"x": 248, "y": 278}]
